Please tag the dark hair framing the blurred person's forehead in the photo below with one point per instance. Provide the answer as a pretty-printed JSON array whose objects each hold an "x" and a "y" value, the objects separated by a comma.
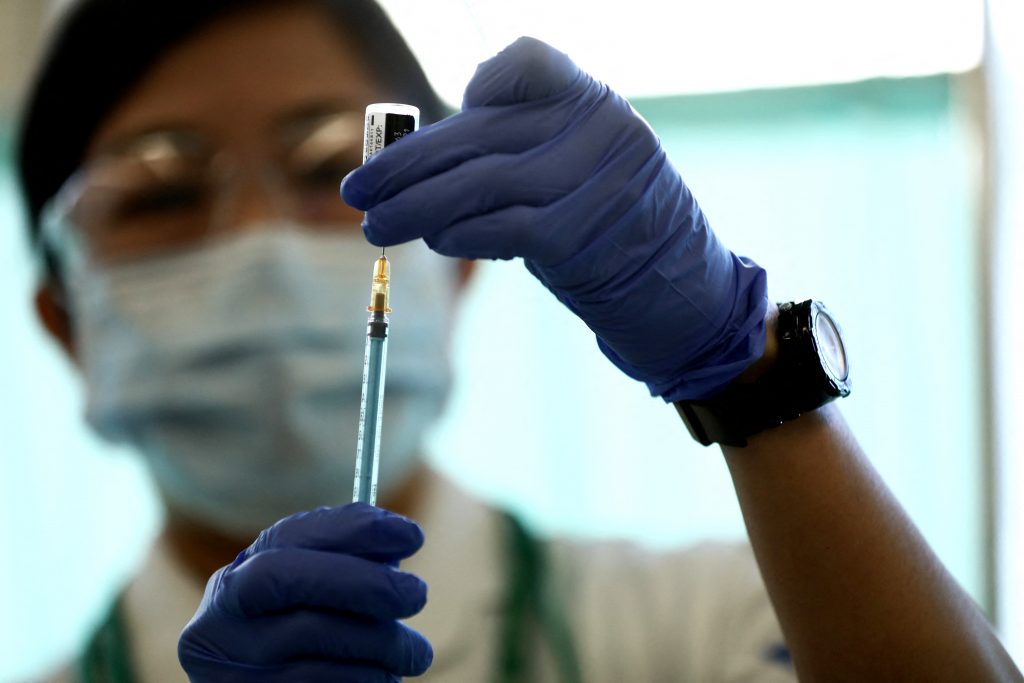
[{"x": 102, "y": 49}]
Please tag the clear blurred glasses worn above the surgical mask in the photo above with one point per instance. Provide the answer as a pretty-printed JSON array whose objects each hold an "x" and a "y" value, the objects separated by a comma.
[{"x": 170, "y": 190}]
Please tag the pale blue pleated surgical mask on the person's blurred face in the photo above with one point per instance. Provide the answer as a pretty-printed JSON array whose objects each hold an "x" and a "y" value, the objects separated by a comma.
[{"x": 236, "y": 369}]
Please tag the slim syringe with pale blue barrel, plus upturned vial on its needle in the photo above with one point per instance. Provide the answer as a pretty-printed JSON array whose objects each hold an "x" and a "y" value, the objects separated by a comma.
[{"x": 386, "y": 124}]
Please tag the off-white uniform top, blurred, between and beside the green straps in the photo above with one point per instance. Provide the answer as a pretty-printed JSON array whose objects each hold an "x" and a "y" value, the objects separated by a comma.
[{"x": 698, "y": 615}]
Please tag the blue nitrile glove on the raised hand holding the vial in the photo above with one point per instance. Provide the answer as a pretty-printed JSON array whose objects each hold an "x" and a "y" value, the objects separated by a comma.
[{"x": 548, "y": 164}]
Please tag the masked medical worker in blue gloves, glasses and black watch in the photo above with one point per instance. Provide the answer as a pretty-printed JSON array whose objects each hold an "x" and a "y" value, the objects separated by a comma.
[{"x": 181, "y": 162}]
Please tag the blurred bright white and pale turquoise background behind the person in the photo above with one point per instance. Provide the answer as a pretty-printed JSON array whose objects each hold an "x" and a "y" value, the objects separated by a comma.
[{"x": 869, "y": 155}]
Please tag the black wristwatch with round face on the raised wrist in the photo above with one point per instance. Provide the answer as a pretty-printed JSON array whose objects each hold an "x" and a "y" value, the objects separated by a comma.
[{"x": 810, "y": 371}]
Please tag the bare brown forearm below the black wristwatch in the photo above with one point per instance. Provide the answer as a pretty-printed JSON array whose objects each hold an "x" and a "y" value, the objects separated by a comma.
[{"x": 859, "y": 593}]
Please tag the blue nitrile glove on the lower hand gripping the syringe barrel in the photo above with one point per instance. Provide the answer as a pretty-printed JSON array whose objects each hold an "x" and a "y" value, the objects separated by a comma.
[{"x": 316, "y": 599}]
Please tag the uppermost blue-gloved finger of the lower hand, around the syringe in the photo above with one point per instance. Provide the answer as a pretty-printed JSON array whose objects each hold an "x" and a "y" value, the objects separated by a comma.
[{"x": 357, "y": 529}]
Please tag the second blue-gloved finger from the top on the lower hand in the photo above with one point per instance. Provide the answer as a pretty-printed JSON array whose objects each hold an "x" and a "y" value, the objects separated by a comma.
[{"x": 280, "y": 580}]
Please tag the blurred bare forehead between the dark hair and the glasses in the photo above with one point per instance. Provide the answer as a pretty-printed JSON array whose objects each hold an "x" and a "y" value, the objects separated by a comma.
[{"x": 242, "y": 75}]
